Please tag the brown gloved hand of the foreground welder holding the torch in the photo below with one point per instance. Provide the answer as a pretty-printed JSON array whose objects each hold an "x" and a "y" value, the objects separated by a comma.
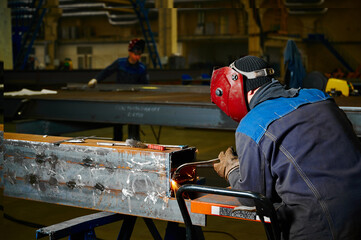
[{"x": 228, "y": 163}]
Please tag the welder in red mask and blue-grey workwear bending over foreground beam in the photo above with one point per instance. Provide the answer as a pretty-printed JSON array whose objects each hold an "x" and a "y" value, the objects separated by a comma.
[{"x": 294, "y": 146}]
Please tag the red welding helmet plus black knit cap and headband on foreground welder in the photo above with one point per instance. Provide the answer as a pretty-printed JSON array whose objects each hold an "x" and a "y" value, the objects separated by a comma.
[{"x": 229, "y": 85}]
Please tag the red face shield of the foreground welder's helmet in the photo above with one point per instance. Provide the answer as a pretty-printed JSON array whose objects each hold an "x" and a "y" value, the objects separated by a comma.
[{"x": 227, "y": 92}]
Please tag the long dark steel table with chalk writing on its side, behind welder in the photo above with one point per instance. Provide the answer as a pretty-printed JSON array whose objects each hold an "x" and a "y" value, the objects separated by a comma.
[{"x": 162, "y": 105}]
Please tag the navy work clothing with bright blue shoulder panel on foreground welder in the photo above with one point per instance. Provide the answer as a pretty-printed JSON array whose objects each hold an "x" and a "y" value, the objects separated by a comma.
[{"x": 302, "y": 153}]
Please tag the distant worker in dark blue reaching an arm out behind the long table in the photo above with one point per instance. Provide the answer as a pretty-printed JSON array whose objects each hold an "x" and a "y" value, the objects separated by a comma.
[{"x": 129, "y": 71}]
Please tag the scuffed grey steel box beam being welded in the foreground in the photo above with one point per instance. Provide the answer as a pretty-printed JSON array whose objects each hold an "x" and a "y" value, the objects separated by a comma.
[{"x": 119, "y": 179}]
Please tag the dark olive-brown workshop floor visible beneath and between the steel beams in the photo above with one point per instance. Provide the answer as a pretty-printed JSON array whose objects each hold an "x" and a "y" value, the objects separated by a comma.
[{"x": 208, "y": 142}]
